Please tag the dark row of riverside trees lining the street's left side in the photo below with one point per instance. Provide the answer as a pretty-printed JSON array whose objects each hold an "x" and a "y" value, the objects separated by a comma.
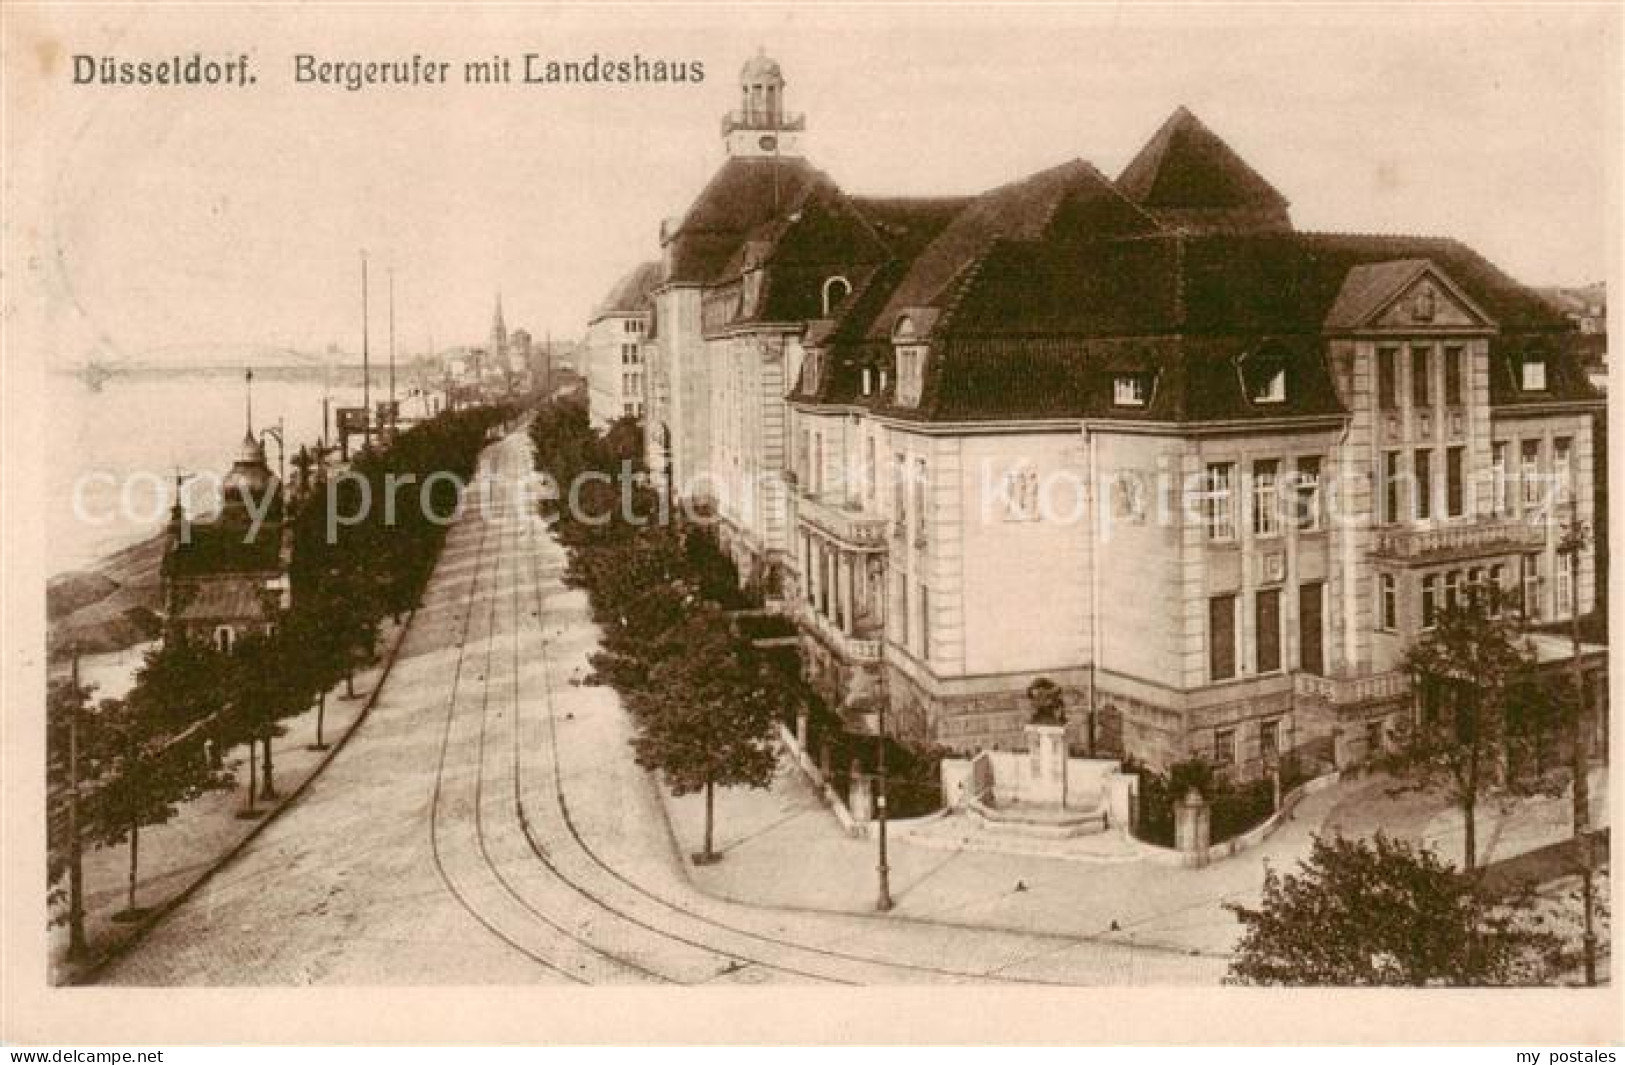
[{"x": 116, "y": 767}]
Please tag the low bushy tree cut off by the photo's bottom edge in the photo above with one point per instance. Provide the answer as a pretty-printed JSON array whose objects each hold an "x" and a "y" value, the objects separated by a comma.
[{"x": 1379, "y": 913}]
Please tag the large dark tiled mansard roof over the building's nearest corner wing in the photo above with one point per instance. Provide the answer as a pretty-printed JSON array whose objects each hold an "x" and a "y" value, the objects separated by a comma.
[{"x": 1039, "y": 329}]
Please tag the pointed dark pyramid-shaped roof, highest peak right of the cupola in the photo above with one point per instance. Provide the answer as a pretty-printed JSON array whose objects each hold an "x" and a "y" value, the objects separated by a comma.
[{"x": 1185, "y": 173}]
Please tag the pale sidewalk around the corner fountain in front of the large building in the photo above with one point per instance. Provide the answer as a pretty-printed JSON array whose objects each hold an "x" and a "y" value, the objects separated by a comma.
[{"x": 784, "y": 848}]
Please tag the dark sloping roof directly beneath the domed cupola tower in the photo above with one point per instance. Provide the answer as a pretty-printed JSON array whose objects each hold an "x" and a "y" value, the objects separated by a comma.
[{"x": 745, "y": 194}]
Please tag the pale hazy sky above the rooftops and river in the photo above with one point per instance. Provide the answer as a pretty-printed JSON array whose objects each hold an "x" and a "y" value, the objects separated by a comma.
[{"x": 171, "y": 224}]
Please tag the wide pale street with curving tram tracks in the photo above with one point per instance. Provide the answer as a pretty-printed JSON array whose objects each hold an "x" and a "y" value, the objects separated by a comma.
[{"x": 488, "y": 825}]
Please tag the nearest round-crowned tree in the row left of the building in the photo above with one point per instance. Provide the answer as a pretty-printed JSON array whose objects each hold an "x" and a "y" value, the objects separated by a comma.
[{"x": 708, "y": 716}]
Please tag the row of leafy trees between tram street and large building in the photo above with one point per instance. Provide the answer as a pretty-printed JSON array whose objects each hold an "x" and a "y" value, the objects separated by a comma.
[{"x": 703, "y": 700}]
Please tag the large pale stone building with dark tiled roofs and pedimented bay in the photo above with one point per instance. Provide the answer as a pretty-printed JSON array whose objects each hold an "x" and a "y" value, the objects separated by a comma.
[{"x": 1143, "y": 438}]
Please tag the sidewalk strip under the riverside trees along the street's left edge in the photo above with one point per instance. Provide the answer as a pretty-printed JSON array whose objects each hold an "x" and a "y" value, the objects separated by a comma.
[{"x": 204, "y": 833}]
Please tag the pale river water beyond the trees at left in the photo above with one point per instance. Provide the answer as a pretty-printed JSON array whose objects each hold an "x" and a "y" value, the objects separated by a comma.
[{"x": 113, "y": 453}]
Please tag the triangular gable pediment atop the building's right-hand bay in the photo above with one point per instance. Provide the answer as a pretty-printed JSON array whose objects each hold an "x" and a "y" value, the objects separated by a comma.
[{"x": 1406, "y": 297}]
